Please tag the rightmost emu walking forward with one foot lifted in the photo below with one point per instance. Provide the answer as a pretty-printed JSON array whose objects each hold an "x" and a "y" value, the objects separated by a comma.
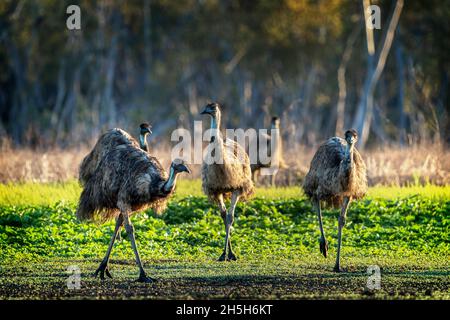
[{"x": 337, "y": 176}]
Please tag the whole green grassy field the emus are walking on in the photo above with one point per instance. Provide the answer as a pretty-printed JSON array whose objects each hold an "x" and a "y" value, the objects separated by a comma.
[{"x": 404, "y": 231}]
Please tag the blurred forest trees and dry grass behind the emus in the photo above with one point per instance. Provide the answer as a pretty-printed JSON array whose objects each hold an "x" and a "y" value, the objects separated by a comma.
[{"x": 313, "y": 63}]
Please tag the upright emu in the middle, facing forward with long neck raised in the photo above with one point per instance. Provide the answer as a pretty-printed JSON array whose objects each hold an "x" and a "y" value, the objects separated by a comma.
[{"x": 225, "y": 174}]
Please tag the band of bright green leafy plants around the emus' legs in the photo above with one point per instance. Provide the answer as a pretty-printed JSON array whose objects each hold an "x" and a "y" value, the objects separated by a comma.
[{"x": 264, "y": 228}]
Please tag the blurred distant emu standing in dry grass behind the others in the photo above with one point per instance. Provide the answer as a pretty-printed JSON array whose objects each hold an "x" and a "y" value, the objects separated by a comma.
[{"x": 276, "y": 155}]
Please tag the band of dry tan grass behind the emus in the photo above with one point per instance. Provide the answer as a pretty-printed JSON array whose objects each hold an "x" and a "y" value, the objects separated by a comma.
[{"x": 395, "y": 166}]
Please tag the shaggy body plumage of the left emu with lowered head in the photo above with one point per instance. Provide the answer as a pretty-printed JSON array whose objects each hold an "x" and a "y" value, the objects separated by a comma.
[{"x": 126, "y": 174}]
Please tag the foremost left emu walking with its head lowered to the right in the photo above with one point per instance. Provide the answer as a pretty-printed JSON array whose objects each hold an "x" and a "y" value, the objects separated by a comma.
[{"x": 118, "y": 179}]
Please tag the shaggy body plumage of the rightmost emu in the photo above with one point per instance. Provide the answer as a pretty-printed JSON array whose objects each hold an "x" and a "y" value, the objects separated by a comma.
[{"x": 328, "y": 181}]
